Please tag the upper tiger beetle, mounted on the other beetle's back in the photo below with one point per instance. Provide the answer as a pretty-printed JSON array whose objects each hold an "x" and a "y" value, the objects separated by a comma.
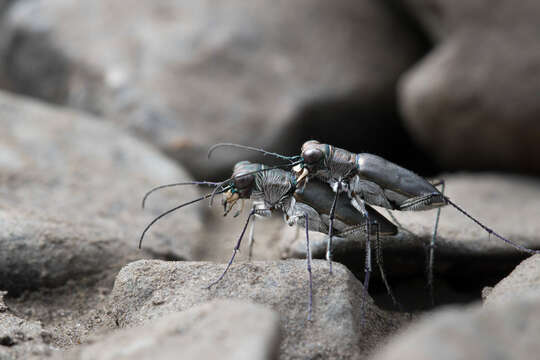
[{"x": 370, "y": 179}]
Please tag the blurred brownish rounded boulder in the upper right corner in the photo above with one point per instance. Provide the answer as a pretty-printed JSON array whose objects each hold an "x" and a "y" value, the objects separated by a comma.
[{"x": 472, "y": 101}]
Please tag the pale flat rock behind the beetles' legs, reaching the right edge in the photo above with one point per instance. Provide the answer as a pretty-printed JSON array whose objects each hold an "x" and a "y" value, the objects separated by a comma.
[{"x": 503, "y": 203}]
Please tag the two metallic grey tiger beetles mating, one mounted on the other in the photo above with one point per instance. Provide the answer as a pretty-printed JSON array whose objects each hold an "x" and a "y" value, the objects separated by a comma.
[{"x": 305, "y": 200}]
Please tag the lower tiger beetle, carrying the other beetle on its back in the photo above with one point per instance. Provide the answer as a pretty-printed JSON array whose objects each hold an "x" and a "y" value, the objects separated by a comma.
[{"x": 272, "y": 188}]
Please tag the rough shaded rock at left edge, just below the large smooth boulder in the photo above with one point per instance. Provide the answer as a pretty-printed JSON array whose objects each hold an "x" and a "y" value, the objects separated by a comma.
[{"x": 42, "y": 252}]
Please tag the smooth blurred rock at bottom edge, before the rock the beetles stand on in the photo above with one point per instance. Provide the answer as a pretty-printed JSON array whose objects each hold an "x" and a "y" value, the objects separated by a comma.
[{"x": 218, "y": 330}]
